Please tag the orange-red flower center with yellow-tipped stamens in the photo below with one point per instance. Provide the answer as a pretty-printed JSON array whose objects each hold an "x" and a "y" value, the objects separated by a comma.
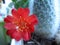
[{"x": 21, "y": 25}]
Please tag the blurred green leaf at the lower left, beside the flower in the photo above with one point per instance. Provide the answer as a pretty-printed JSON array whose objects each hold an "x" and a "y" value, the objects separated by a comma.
[{"x": 3, "y": 40}]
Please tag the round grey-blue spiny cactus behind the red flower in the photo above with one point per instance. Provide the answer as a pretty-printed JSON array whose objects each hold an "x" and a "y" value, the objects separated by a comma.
[{"x": 48, "y": 24}]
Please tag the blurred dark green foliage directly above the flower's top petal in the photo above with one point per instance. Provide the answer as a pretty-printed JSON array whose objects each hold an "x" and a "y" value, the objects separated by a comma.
[{"x": 20, "y": 3}]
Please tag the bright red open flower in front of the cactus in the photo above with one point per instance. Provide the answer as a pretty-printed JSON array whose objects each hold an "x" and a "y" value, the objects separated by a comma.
[{"x": 20, "y": 24}]
